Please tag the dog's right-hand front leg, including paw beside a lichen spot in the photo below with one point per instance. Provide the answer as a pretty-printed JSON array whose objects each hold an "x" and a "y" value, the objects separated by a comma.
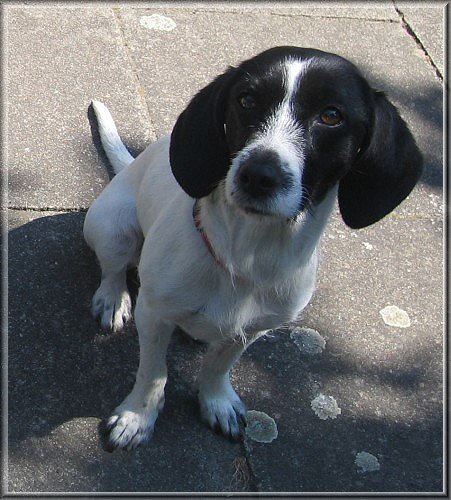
[{"x": 220, "y": 405}]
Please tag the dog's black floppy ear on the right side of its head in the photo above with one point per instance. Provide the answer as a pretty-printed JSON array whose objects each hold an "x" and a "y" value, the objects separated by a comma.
[{"x": 384, "y": 173}]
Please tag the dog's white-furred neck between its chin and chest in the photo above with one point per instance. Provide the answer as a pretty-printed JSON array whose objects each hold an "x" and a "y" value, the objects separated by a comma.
[{"x": 262, "y": 250}]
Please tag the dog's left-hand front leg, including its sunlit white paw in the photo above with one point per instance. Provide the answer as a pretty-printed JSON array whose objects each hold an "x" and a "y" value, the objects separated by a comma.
[{"x": 133, "y": 421}]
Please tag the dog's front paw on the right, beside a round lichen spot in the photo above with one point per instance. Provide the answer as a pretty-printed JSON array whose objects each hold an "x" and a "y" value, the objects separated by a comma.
[{"x": 223, "y": 411}]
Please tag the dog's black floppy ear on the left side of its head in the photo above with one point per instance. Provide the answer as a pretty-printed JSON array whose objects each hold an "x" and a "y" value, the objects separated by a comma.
[{"x": 198, "y": 151}]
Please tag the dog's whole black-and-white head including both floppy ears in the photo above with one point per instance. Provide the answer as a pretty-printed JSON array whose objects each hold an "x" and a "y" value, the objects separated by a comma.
[{"x": 284, "y": 127}]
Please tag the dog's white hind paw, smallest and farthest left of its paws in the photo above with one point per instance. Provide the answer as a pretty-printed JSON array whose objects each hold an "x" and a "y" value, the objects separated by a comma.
[{"x": 112, "y": 306}]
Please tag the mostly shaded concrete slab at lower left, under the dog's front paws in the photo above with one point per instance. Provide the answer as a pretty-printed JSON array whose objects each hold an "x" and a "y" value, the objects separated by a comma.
[{"x": 65, "y": 375}]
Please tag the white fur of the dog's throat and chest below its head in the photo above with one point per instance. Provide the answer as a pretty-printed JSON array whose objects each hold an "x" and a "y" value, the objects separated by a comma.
[{"x": 269, "y": 273}]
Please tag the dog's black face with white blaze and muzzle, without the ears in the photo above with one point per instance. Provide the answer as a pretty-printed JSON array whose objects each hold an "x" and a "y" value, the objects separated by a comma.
[{"x": 293, "y": 127}]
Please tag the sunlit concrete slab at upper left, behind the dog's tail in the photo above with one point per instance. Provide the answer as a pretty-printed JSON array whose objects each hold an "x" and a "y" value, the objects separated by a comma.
[{"x": 58, "y": 59}]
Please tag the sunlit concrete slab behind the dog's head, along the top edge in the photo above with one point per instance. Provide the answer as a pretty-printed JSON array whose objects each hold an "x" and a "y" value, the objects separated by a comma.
[{"x": 203, "y": 43}]
